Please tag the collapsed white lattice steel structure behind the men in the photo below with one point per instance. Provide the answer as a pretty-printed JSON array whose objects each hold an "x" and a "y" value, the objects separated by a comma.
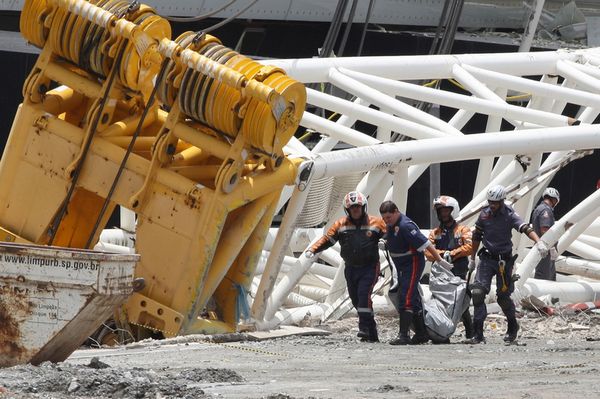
[{"x": 385, "y": 92}]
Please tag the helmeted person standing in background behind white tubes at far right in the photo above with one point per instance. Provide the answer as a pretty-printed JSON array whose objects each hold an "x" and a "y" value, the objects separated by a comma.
[{"x": 542, "y": 219}]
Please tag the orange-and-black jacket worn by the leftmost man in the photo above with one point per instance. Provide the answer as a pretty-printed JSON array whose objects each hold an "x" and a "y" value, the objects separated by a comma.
[{"x": 358, "y": 242}]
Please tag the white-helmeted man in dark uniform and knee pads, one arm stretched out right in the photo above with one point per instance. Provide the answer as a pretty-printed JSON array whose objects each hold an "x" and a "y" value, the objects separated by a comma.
[{"x": 493, "y": 228}]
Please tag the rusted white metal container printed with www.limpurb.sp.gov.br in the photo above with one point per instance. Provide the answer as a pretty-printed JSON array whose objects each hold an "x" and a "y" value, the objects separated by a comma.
[{"x": 52, "y": 299}]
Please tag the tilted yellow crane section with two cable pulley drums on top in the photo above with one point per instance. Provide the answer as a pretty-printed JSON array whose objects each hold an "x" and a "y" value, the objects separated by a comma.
[{"x": 187, "y": 133}]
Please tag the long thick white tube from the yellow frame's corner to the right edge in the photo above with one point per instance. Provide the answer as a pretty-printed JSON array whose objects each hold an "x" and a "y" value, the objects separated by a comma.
[{"x": 385, "y": 156}]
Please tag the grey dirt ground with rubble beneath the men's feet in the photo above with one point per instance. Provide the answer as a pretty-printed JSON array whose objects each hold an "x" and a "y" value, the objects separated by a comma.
[{"x": 556, "y": 357}]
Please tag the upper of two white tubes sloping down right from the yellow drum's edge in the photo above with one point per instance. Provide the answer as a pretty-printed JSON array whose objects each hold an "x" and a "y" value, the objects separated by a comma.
[{"x": 378, "y": 118}]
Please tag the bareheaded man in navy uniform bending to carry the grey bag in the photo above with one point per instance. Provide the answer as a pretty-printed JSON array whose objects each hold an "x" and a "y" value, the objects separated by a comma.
[{"x": 406, "y": 244}]
